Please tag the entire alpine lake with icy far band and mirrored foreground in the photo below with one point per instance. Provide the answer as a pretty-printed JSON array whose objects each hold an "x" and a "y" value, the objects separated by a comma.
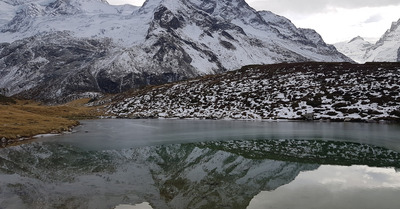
[{"x": 118, "y": 163}]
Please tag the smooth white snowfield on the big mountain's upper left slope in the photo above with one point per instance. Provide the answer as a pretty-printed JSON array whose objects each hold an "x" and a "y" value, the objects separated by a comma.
[{"x": 84, "y": 19}]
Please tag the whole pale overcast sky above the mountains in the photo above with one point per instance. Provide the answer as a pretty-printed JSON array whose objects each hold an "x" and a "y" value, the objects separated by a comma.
[{"x": 335, "y": 20}]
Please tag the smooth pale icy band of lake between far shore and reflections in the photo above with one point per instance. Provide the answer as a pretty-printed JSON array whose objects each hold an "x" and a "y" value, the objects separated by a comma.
[{"x": 121, "y": 134}]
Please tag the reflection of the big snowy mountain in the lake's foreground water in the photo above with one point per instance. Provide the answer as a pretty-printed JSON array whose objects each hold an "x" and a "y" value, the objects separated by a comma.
[{"x": 192, "y": 175}]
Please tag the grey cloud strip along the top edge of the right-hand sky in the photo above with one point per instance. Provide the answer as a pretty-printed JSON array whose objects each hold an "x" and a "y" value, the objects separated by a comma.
[{"x": 315, "y": 6}]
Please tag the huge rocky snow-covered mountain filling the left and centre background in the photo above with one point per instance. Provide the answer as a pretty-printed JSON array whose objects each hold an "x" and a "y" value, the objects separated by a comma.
[{"x": 96, "y": 47}]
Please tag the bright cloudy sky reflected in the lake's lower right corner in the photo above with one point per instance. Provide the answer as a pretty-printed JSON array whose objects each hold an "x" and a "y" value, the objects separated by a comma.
[{"x": 336, "y": 187}]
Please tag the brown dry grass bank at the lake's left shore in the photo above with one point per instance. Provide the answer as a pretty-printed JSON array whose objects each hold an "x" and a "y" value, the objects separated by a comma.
[{"x": 26, "y": 118}]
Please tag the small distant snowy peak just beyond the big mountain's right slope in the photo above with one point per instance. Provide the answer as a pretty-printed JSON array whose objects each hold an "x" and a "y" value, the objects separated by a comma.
[{"x": 355, "y": 49}]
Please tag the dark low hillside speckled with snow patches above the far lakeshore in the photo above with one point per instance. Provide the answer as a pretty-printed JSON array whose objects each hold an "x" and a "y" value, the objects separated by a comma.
[{"x": 312, "y": 91}]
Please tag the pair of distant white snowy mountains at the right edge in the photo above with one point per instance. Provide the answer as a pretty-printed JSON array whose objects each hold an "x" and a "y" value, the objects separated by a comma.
[{"x": 387, "y": 49}]
